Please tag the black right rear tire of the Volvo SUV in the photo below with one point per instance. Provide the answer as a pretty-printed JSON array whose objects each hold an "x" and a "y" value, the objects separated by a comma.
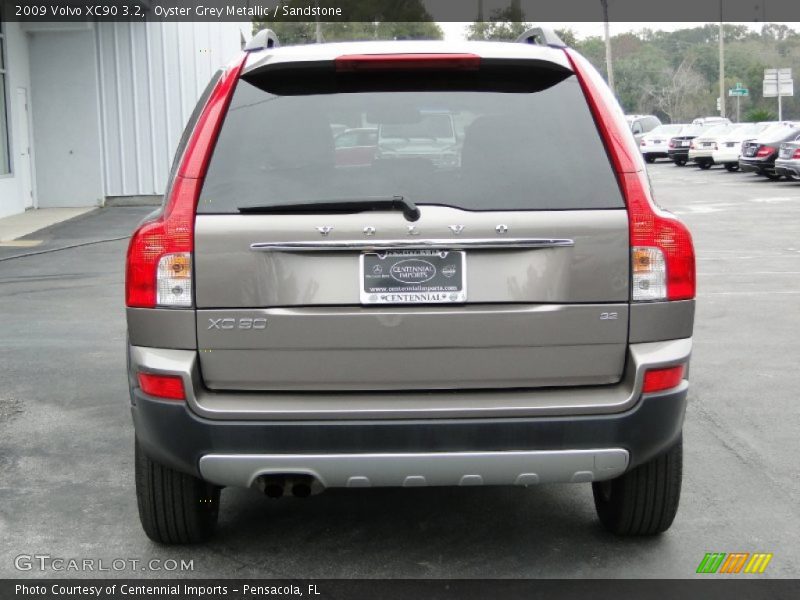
[{"x": 643, "y": 501}]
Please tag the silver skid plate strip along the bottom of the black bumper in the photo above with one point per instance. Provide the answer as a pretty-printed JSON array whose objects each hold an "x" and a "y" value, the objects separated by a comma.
[{"x": 527, "y": 467}]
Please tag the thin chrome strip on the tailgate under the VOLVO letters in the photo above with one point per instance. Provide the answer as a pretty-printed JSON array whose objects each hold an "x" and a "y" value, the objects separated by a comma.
[{"x": 416, "y": 244}]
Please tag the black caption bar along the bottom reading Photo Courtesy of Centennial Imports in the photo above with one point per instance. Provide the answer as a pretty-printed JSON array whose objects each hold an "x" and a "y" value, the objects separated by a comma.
[{"x": 399, "y": 589}]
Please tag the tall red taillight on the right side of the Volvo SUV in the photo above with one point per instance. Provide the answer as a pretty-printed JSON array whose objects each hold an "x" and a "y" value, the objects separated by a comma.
[{"x": 650, "y": 226}]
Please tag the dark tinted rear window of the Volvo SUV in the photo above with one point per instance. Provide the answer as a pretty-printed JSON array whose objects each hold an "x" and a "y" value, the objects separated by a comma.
[{"x": 476, "y": 144}]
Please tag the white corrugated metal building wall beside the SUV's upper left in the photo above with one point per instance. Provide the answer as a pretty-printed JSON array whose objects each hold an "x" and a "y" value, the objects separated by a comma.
[{"x": 151, "y": 75}]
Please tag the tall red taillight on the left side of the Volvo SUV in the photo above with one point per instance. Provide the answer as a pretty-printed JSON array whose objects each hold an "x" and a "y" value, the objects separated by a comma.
[{"x": 172, "y": 232}]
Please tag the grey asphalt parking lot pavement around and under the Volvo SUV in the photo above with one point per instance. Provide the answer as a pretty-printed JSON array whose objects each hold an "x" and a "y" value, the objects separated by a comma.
[{"x": 66, "y": 440}]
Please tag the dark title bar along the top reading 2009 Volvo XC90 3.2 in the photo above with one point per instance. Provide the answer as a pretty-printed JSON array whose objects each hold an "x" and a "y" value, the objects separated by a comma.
[{"x": 646, "y": 12}]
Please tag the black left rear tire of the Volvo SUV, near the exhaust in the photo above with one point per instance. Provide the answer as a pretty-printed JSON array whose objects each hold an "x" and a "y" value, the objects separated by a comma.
[{"x": 174, "y": 508}]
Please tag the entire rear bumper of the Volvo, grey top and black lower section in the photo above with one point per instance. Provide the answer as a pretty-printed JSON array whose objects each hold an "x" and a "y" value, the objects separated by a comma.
[{"x": 477, "y": 437}]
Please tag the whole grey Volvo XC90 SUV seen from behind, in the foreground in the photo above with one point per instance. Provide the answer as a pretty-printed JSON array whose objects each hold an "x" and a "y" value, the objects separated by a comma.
[{"x": 297, "y": 323}]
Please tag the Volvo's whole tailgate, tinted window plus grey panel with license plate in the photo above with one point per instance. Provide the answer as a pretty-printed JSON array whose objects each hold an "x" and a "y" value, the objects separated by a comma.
[{"x": 530, "y": 199}]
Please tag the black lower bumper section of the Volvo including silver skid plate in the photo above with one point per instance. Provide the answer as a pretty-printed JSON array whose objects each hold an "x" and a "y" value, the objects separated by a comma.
[{"x": 389, "y": 452}]
